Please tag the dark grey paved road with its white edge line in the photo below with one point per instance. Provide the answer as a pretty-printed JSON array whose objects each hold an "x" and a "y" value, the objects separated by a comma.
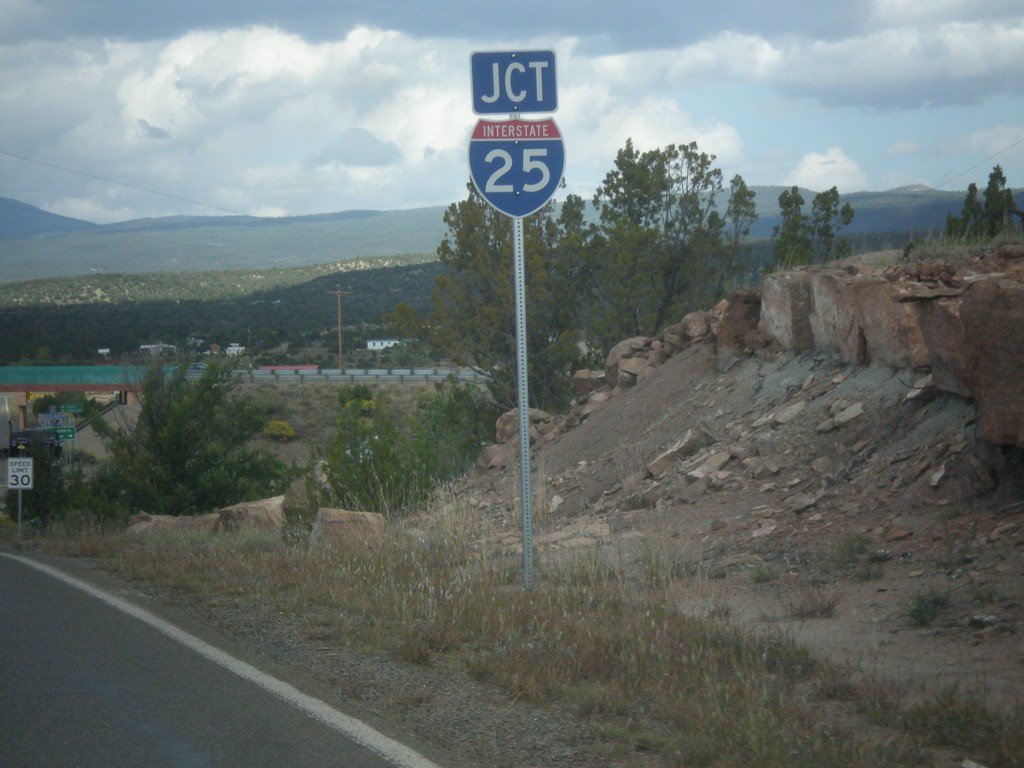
[{"x": 83, "y": 684}]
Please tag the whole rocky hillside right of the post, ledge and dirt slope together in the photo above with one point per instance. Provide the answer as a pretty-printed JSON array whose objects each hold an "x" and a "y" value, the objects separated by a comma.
[{"x": 838, "y": 457}]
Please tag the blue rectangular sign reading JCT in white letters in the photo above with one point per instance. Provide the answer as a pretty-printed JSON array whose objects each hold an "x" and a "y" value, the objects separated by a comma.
[{"x": 515, "y": 82}]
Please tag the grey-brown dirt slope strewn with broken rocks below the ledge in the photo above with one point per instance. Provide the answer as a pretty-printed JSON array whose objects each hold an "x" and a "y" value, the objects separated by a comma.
[{"x": 841, "y": 504}]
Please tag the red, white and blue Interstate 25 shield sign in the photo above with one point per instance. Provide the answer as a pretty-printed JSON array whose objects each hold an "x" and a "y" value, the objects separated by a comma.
[{"x": 518, "y": 164}]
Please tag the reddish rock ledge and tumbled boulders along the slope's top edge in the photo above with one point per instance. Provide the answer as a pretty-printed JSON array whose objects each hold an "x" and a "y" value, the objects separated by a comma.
[{"x": 962, "y": 321}]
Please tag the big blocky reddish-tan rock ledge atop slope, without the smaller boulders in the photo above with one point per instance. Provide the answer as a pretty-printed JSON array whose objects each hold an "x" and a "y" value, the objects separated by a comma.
[{"x": 965, "y": 322}]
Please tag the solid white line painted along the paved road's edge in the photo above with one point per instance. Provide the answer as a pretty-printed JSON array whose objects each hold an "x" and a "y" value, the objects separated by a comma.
[{"x": 397, "y": 753}]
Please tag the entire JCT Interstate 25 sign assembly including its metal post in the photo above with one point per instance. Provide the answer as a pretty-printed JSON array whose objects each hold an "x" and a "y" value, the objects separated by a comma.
[{"x": 517, "y": 165}]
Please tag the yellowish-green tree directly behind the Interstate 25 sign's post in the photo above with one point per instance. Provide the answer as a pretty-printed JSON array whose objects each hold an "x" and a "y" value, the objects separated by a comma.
[{"x": 474, "y": 322}]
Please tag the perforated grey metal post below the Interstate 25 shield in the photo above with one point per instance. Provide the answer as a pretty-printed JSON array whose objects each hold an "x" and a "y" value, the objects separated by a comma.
[{"x": 523, "y": 389}]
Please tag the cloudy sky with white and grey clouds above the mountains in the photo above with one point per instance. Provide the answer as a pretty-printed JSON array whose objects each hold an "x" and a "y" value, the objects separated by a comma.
[{"x": 115, "y": 110}]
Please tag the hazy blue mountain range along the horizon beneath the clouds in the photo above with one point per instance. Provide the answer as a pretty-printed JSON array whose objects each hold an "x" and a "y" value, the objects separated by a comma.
[{"x": 36, "y": 244}]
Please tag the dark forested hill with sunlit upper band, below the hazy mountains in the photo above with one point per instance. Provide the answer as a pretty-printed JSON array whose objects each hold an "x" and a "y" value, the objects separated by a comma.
[{"x": 69, "y": 319}]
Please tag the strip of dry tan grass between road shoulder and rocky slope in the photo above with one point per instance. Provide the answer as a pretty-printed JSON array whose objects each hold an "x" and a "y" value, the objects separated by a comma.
[{"x": 601, "y": 632}]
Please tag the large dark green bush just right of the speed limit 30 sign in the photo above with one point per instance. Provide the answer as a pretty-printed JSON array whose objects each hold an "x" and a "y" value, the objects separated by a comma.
[{"x": 188, "y": 453}]
